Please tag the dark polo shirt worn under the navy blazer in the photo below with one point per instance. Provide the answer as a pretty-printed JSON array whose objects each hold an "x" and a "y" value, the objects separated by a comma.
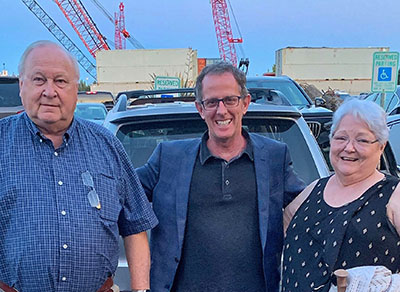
[{"x": 222, "y": 247}]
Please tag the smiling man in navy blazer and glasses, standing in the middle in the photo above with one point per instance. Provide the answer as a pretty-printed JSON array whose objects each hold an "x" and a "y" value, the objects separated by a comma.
[{"x": 219, "y": 199}]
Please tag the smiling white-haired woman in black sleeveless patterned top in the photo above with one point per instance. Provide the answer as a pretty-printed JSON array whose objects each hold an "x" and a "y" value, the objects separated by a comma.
[{"x": 342, "y": 222}]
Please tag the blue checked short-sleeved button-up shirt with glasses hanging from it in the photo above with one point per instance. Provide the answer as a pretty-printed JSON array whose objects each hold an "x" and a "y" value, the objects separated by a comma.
[{"x": 51, "y": 238}]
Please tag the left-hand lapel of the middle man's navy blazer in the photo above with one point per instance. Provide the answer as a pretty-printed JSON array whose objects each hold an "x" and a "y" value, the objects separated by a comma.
[{"x": 183, "y": 180}]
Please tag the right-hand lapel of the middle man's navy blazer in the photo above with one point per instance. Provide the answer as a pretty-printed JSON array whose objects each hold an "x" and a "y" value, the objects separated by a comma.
[{"x": 261, "y": 158}]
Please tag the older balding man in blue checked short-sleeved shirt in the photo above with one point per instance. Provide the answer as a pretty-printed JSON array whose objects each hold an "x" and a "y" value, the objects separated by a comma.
[{"x": 67, "y": 189}]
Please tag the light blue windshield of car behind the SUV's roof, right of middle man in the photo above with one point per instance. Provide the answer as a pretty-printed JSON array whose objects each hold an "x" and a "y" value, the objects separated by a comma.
[{"x": 288, "y": 88}]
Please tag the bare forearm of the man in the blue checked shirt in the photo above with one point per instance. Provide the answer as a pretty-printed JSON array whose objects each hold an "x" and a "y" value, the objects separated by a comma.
[{"x": 138, "y": 257}]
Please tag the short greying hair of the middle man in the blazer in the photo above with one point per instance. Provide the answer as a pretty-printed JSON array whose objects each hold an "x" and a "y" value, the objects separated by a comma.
[{"x": 219, "y": 69}]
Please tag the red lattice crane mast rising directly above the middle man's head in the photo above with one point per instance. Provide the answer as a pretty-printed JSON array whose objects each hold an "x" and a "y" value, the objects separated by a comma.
[{"x": 223, "y": 31}]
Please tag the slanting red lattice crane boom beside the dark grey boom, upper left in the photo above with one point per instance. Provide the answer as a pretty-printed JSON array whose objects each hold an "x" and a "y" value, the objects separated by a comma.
[{"x": 83, "y": 25}]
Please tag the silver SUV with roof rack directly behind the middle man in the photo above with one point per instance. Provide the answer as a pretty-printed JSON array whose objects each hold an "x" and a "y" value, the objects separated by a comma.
[{"x": 143, "y": 121}]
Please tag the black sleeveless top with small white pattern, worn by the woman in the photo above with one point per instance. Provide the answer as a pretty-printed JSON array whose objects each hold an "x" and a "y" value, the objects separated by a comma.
[{"x": 321, "y": 238}]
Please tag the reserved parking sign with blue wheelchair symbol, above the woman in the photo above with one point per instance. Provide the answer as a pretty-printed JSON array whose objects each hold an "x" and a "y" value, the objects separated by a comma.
[{"x": 384, "y": 73}]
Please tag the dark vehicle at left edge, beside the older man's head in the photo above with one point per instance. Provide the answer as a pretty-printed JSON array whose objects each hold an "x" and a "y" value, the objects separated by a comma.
[{"x": 10, "y": 101}]
